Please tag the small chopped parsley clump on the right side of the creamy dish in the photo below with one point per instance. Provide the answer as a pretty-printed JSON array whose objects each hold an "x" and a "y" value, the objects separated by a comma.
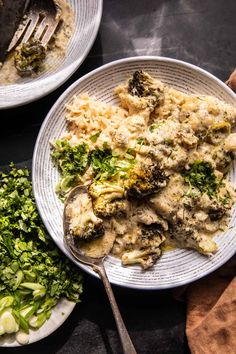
[{"x": 201, "y": 176}]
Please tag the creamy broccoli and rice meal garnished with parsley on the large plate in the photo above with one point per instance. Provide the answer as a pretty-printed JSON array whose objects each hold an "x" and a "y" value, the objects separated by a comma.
[{"x": 154, "y": 170}]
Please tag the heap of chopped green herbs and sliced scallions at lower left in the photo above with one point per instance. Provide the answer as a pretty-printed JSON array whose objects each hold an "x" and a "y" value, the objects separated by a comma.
[{"x": 34, "y": 275}]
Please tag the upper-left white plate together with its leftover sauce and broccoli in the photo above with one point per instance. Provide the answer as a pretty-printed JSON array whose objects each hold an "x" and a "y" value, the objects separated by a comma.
[{"x": 74, "y": 37}]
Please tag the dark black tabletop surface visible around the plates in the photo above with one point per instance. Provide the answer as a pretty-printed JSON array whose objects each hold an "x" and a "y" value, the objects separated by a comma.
[{"x": 198, "y": 31}]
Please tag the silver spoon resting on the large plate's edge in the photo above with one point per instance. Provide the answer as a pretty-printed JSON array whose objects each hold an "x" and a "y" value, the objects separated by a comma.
[{"x": 98, "y": 267}]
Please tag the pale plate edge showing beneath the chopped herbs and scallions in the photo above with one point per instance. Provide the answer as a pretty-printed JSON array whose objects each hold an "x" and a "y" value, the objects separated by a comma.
[{"x": 59, "y": 314}]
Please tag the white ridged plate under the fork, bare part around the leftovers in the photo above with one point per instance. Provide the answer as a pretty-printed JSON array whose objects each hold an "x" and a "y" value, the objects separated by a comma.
[{"x": 87, "y": 15}]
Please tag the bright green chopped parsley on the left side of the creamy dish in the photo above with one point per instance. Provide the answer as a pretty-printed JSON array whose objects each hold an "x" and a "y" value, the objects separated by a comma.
[{"x": 73, "y": 161}]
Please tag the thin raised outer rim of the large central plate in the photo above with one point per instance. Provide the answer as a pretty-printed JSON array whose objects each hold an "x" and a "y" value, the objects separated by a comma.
[{"x": 58, "y": 103}]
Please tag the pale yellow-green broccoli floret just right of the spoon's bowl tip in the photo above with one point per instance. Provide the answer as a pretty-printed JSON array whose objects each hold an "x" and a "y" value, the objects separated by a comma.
[{"x": 108, "y": 199}]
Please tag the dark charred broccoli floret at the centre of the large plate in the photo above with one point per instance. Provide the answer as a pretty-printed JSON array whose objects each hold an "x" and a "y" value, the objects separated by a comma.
[{"x": 145, "y": 180}]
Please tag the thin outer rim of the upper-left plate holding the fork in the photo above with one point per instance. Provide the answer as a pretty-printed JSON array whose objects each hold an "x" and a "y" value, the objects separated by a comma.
[{"x": 75, "y": 66}]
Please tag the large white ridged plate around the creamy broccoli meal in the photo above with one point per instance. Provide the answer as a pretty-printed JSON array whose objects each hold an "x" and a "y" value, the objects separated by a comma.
[{"x": 175, "y": 267}]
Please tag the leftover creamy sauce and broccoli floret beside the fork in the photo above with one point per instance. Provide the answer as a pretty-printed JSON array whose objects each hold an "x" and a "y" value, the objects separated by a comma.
[{"x": 32, "y": 58}]
